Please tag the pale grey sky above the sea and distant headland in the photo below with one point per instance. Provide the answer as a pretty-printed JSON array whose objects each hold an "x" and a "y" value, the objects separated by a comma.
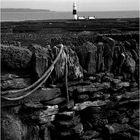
[{"x": 66, "y": 5}]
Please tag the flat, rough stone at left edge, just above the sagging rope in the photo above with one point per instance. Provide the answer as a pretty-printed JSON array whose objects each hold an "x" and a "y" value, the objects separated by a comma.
[{"x": 16, "y": 83}]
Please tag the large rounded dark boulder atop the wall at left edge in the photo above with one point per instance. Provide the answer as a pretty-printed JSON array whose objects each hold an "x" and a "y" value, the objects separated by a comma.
[{"x": 15, "y": 57}]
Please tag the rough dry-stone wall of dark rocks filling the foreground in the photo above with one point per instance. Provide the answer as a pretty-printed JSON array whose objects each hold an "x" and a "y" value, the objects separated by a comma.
[{"x": 103, "y": 99}]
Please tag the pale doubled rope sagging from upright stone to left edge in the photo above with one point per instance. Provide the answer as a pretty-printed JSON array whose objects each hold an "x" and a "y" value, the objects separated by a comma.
[{"x": 29, "y": 90}]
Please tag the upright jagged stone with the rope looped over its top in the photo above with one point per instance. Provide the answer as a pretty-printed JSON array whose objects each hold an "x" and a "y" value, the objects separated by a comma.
[{"x": 75, "y": 71}]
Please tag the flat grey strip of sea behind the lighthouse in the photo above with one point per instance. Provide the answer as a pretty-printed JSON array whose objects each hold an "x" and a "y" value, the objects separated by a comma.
[{"x": 20, "y": 16}]
